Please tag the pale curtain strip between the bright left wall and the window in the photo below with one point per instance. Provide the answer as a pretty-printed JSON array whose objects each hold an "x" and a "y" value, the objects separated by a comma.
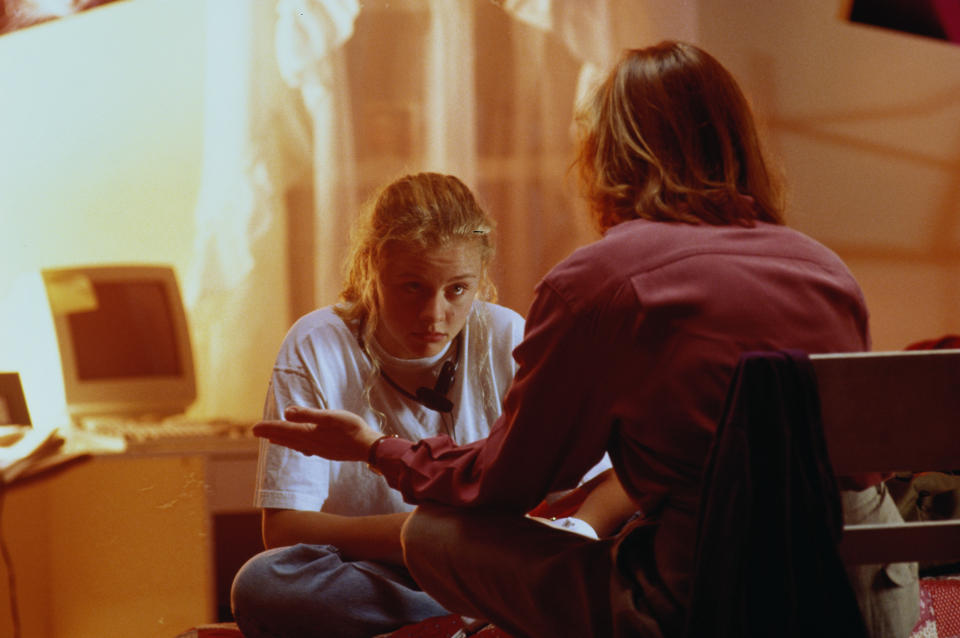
[{"x": 253, "y": 147}]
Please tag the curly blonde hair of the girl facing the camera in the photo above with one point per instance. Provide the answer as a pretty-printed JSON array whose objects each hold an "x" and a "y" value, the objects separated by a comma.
[{"x": 420, "y": 211}]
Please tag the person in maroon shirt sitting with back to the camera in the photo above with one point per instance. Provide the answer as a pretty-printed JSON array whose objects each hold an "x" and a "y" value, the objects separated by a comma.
[{"x": 629, "y": 348}]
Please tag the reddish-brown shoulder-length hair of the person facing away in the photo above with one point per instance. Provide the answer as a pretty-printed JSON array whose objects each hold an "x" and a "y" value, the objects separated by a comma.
[{"x": 669, "y": 136}]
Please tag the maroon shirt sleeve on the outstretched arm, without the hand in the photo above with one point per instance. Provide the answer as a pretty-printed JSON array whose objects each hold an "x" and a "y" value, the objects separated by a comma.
[{"x": 549, "y": 435}]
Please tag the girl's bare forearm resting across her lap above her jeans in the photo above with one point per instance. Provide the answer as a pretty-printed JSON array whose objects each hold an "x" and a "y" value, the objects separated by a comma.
[{"x": 374, "y": 537}]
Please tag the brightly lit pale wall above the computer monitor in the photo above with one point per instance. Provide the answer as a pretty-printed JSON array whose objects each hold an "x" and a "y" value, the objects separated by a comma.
[{"x": 101, "y": 127}]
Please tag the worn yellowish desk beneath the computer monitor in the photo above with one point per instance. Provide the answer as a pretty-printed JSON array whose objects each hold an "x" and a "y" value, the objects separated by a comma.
[{"x": 128, "y": 544}]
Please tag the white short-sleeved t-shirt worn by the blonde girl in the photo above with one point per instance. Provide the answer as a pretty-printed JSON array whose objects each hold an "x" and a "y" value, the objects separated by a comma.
[{"x": 321, "y": 364}]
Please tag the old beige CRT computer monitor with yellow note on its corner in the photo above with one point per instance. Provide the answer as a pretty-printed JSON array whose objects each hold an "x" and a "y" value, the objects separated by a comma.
[{"x": 123, "y": 339}]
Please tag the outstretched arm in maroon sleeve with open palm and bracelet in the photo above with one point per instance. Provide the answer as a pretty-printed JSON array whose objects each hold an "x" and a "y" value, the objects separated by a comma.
[{"x": 555, "y": 425}]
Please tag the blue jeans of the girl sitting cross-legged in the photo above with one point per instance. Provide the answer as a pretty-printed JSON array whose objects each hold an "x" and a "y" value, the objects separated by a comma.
[{"x": 309, "y": 590}]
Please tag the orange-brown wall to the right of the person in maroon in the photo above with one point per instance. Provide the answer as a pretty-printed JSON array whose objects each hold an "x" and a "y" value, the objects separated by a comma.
[{"x": 865, "y": 123}]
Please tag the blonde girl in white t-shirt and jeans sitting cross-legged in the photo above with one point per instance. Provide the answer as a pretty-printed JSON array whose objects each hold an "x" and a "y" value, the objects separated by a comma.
[{"x": 417, "y": 347}]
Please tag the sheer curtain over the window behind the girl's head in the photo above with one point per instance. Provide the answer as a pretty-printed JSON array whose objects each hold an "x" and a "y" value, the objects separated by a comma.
[{"x": 479, "y": 89}]
